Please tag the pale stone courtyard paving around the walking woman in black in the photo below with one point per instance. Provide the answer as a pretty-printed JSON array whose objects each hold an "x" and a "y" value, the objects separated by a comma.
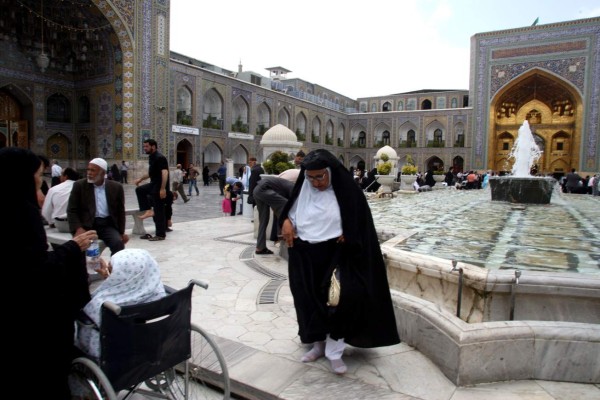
[{"x": 249, "y": 309}]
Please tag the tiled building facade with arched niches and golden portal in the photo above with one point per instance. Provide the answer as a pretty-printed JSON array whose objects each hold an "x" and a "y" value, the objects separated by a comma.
[{"x": 110, "y": 81}]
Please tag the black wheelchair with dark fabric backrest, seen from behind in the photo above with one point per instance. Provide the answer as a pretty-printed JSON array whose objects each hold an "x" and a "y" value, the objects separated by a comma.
[{"x": 153, "y": 350}]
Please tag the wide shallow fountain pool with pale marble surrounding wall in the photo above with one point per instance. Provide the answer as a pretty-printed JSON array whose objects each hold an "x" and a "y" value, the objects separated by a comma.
[{"x": 492, "y": 292}]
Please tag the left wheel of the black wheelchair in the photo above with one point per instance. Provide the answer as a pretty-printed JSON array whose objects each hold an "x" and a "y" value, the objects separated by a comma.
[{"x": 87, "y": 381}]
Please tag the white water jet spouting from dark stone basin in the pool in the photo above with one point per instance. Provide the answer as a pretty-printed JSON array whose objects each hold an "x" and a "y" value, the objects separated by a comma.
[{"x": 521, "y": 187}]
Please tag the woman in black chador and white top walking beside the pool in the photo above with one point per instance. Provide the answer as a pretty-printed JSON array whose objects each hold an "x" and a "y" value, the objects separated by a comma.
[{"x": 326, "y": 219}]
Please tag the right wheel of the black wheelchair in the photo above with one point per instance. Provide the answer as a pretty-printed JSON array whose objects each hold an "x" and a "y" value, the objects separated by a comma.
[{"x": 205, "y": 371}]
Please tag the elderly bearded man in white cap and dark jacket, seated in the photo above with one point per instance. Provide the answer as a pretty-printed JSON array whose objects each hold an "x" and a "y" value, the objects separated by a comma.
[{"x": 97, "y": 203}]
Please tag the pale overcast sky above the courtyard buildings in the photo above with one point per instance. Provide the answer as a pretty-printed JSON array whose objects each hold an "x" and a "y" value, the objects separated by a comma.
[{"x": 356, "y": 48}]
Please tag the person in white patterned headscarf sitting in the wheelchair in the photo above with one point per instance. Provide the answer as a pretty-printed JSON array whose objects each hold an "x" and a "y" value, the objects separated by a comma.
[{"x": 132, "y": 277}]
